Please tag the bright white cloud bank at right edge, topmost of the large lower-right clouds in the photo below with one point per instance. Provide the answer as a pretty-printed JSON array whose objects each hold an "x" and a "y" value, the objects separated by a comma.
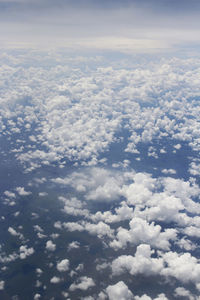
[{"x": 144, "y": 191}]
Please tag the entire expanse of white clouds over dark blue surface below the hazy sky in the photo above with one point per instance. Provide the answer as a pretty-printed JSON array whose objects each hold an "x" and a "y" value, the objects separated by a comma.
[{"x": 100, "y": 177}]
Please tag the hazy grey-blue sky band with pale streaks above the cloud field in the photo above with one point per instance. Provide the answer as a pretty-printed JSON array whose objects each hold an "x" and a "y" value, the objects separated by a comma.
[{"x": 124, "y": 25}]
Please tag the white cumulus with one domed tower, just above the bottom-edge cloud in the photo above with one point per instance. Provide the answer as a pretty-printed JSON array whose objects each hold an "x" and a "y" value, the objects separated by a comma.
[{"x": 141, "y": 263}]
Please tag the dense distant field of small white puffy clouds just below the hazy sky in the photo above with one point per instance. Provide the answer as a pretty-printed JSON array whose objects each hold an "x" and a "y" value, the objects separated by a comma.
[{"x": 80, "y": 115}]
